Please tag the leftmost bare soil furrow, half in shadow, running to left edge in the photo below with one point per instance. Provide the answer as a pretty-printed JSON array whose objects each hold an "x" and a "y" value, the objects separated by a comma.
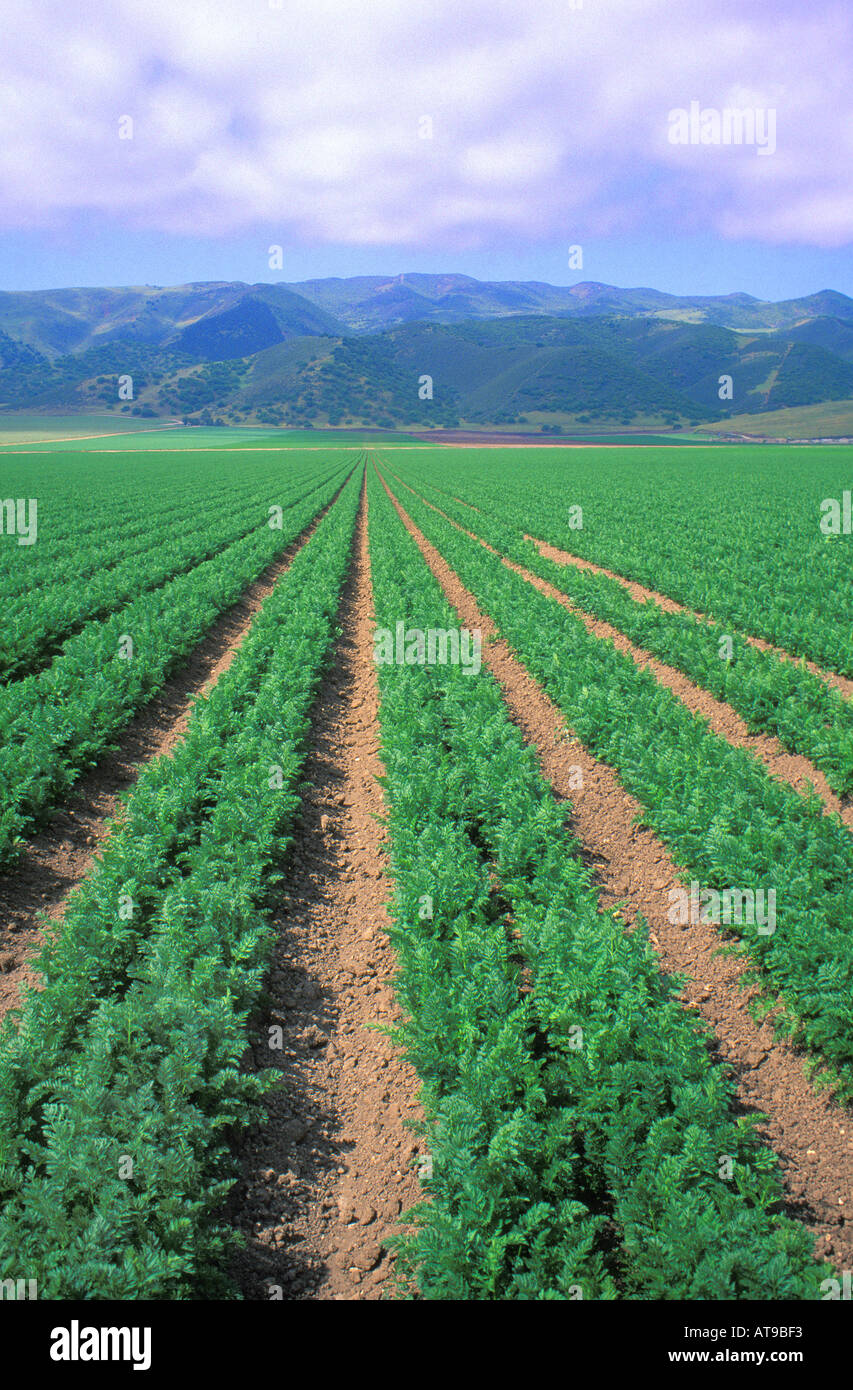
[{"x": 63, "y": 851}]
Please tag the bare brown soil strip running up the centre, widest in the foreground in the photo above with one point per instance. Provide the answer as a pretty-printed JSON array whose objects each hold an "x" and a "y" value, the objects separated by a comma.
[{"x": 331, "y": 1171}]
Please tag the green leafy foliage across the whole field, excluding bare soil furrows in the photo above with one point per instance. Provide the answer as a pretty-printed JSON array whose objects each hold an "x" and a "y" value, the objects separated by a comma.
[{"x": 574, "y": 1111}]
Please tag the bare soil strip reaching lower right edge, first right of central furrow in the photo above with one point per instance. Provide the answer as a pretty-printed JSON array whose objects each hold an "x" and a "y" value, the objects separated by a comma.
[{"x": 633, "y": 869}]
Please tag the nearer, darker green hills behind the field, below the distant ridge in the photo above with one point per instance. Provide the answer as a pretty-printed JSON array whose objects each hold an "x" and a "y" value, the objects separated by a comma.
[{"x": 548, "y": 372}]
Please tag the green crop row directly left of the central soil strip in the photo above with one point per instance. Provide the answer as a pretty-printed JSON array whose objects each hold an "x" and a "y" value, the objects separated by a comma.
[{"x": 122, "y": 1088}]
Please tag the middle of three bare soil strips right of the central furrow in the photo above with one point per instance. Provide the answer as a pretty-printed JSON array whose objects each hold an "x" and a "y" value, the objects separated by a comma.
[{"x": 791, "y": 768}]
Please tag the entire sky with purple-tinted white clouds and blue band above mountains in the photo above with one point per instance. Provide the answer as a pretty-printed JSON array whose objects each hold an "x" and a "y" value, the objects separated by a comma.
[{"x": 162, "y": 142}]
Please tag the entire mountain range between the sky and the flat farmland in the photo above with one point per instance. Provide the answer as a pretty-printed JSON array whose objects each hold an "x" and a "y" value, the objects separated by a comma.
[{"x": 361, "y": 351}]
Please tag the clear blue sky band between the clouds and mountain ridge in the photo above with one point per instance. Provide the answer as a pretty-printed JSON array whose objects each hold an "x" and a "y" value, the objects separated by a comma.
[{"x": 681, "y": 266}]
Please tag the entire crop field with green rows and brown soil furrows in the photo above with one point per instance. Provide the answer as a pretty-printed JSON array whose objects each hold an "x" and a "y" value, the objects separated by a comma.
[{"x": 426, "y": 872}]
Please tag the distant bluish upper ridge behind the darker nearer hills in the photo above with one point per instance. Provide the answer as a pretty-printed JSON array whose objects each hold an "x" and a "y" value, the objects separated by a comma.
[{"x": 230, "y": 319}]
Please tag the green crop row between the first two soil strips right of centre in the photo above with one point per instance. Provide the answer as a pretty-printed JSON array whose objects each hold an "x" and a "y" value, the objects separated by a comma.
[{"x": 724, "y": 819}]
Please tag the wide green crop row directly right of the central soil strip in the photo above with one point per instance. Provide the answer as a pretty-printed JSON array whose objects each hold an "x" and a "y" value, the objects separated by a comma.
[{"x": 577, "y": 1127}]
